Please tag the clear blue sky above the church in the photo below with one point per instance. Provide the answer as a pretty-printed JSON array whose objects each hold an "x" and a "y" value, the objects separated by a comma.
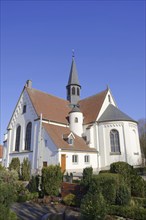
[{"x": 37, "y": 38}]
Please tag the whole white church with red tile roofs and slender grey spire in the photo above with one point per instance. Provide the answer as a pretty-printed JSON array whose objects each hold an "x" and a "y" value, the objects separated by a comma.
[{"x": 75, "y": 133}]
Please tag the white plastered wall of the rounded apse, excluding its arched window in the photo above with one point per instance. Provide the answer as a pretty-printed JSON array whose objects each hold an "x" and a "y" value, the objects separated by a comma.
[{"x": 129, "y": 148}]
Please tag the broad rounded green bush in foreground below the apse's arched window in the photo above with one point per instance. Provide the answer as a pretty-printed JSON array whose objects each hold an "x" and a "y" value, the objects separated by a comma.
[{"x": 107, "y": 184}]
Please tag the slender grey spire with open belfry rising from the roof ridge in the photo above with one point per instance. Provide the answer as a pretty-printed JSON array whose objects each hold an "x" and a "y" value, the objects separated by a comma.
[{"x": 73, "y": 87}]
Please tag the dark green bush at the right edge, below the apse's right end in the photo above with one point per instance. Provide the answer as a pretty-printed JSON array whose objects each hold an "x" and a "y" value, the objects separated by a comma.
[{"x": 137, "y": 186}]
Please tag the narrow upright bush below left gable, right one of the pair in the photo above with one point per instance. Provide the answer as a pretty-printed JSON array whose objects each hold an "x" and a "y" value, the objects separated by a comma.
[{"x": 25, "y": 169}]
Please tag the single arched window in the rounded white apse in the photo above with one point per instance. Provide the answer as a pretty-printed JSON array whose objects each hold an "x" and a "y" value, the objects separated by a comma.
[{"x": 115, "y": 141}]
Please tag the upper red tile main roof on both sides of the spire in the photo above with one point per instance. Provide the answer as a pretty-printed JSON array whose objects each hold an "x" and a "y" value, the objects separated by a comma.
[{"x": 57, "y": 109}]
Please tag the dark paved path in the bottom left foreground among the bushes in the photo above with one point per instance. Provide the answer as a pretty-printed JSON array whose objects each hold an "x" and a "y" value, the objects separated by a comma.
[{"x": 33, "y": 211}]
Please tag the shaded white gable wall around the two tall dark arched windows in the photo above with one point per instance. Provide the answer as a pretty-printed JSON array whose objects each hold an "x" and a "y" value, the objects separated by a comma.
[{"x": 18, "y": 118}]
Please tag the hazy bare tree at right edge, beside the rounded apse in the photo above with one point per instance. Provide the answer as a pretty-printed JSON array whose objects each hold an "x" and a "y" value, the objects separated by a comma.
[{"x": 142, "y": 135}]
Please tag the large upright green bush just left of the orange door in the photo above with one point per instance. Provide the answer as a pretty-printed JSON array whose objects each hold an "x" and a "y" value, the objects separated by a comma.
[{"x": 51, "y": 180}]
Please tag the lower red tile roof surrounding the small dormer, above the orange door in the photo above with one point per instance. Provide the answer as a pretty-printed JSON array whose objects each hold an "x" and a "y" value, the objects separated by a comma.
[{"x": 56, "y": 134}]
